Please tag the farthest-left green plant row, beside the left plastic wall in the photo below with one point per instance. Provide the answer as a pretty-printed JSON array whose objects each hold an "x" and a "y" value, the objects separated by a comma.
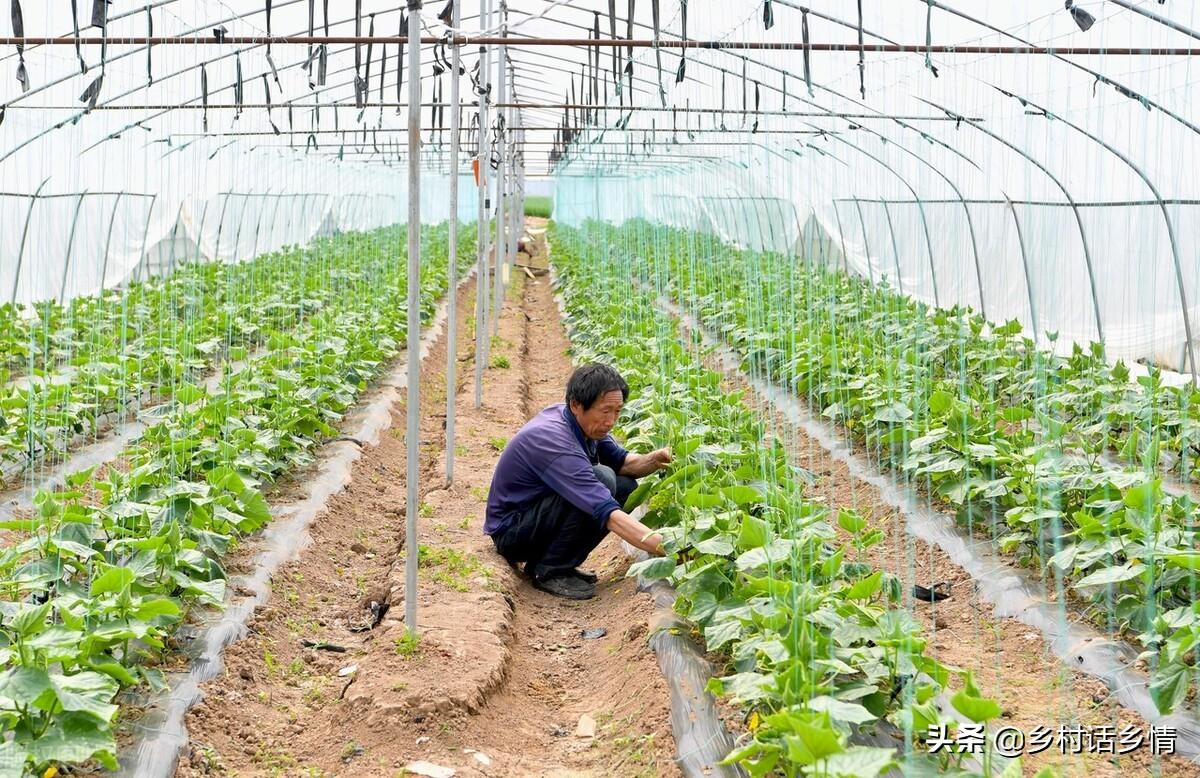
[{"x": 98, "y": 354}]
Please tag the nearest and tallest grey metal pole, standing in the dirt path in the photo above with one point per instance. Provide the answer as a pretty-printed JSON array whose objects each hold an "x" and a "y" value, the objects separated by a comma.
[{"x": 413, "y": 402}]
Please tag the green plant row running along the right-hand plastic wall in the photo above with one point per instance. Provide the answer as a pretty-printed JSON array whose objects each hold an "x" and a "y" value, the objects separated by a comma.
[{"x": 1009, "y": 435}]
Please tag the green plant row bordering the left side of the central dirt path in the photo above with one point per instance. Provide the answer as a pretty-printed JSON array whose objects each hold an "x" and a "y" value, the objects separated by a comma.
[{"x": 109, "y": 568}]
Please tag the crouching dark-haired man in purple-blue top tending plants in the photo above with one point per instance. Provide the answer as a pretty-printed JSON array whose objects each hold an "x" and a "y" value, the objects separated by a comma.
[{"x": 561, "y": 484}]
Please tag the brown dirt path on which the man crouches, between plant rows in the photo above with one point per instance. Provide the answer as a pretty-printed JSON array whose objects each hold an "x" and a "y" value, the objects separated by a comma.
[{"x": 500, "y": 677}]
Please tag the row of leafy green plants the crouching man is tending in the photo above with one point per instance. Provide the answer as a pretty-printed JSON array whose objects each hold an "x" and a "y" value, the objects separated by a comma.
[{"x": 815, "y": 648}]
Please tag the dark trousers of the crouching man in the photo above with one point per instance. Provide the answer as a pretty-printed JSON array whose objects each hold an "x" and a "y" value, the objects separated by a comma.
[{"x": 553, "y": 537}]
